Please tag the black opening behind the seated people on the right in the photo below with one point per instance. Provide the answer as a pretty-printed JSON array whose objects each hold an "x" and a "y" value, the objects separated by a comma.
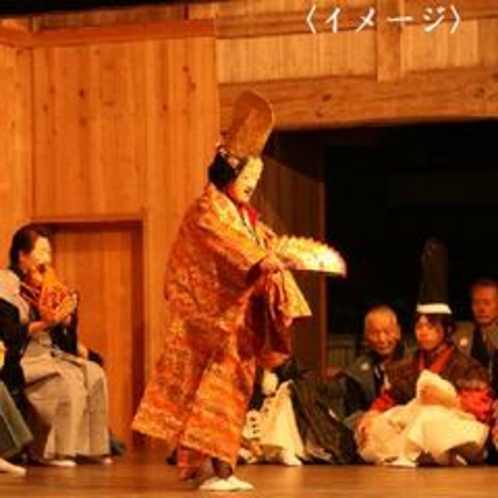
[{"x": 387, "y": 190}]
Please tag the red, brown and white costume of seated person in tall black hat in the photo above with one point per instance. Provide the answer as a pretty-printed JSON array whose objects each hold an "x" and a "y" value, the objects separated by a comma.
[{"x": 409, "y": 428}]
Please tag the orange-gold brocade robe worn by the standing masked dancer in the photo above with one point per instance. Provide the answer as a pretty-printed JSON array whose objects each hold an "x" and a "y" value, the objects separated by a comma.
[{"x": 218, "y": 322}]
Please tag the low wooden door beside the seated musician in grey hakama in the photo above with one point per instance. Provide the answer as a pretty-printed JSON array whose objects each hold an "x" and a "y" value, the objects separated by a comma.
[{"x": 104, "y": 262}]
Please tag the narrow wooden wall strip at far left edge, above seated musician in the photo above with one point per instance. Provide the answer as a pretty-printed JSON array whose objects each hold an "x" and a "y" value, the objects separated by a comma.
[{"x": 15, "y": 143}]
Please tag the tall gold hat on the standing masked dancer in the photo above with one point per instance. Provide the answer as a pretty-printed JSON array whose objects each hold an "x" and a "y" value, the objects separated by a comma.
[{"x": 252, "y": 123}]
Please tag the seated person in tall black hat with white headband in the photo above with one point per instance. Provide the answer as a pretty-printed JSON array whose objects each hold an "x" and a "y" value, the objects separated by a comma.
[{"x": 436, "y": 405}]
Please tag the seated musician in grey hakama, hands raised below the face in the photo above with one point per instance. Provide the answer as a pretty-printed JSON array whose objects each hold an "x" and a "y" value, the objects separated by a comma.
[{"x": 66, "y": 394}]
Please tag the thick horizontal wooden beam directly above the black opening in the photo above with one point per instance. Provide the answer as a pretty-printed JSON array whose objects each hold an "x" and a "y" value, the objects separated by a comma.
[{"x": 348, "y": 101}]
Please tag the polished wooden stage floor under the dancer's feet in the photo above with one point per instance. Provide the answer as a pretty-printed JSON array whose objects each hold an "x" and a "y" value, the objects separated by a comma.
[{"x": 145, "y": 475}]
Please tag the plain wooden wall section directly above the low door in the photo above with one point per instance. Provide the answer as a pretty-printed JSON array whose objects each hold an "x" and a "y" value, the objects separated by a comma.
[{"x": 89, "y": 146}]
